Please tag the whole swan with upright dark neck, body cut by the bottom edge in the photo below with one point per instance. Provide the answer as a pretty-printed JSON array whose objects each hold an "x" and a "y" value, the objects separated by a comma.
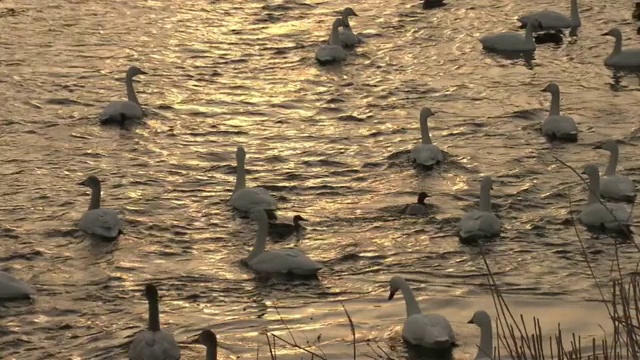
[{"x": 153, "y": 343}]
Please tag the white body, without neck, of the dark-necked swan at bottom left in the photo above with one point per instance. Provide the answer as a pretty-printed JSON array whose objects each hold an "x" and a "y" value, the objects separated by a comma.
[{"x": 154, "y": 345}]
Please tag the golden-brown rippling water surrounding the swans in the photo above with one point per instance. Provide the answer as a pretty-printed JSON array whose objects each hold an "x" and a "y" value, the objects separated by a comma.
[{"x": 329, "y": 143}]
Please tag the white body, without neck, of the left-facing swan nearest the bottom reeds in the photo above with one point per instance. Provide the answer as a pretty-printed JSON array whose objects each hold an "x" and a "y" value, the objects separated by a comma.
[{"x": 428, "y": 330}]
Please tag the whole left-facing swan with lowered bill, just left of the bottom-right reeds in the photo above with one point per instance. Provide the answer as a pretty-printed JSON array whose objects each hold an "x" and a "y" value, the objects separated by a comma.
[{"x": 426, "y": 330}]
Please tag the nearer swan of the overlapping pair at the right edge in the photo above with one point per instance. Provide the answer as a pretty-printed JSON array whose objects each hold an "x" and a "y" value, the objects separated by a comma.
[{"x": 596, "y": 215}]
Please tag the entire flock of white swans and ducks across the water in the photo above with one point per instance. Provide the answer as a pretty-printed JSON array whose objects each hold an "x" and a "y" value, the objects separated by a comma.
[{"x": 426, "y": 330}]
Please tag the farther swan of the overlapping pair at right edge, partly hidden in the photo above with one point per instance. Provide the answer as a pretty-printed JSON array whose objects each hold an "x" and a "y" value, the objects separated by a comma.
[{"x": 613, "y": 186}]
